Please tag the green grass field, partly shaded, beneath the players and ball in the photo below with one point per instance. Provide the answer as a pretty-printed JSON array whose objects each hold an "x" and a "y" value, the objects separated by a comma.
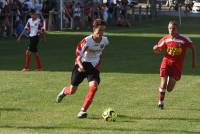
[{"x": 129, "y": 82}]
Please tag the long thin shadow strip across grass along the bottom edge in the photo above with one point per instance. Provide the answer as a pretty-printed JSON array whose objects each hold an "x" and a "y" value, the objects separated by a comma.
[{"x": 99, "y": 129}]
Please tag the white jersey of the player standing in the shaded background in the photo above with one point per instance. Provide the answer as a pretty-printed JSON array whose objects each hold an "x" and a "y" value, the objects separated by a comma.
[{"x": 34, "y": 26}]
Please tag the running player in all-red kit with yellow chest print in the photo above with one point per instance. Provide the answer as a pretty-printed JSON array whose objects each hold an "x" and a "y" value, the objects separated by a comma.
[{"x": 172, "y": 63}]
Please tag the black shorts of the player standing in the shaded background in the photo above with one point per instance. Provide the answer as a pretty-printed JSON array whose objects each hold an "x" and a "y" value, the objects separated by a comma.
[{"x": 33, "y": 44}]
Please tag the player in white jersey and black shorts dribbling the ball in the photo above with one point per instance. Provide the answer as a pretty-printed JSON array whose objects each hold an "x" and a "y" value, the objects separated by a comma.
[{"x": 87, "y": 63}]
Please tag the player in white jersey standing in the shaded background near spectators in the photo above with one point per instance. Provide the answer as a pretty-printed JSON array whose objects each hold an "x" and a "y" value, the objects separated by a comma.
[{"x": 36, "y": 27}]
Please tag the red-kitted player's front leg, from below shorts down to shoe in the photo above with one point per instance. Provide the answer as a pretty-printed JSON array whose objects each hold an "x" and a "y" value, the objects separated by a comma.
[{"x": 162, "y": 89}]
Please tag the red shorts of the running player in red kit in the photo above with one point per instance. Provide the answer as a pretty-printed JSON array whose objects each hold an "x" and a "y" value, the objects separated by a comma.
[{"x": 170, "y": 71}]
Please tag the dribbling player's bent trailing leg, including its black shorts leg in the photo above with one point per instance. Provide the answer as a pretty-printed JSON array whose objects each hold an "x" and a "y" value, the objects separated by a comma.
[{"x": 76, "y": 78}]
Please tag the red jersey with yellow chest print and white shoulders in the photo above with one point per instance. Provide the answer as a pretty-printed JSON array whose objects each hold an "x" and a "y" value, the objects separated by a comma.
[{"x": 175, "y": 49}]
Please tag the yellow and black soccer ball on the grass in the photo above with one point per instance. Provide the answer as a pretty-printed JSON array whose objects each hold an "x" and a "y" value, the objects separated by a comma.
[{"x": 109, "y": 115}]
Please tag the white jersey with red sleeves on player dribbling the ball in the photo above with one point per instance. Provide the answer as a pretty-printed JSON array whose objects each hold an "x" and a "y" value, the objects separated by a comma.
[{"x": 90, "y": 51}]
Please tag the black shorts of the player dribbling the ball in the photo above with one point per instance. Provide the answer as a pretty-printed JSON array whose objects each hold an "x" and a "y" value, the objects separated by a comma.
[{"x": 91, "y": 73}]
